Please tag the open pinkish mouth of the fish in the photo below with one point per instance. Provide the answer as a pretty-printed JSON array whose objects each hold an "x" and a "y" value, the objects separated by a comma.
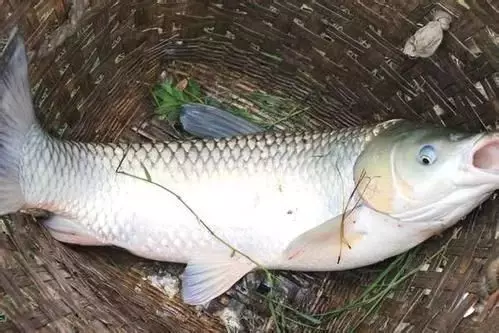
[{"x": 485, "y": 155}]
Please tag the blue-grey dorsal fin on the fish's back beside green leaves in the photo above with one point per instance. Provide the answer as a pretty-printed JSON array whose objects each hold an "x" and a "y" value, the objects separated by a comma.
[{"x": 206, "y": 121}]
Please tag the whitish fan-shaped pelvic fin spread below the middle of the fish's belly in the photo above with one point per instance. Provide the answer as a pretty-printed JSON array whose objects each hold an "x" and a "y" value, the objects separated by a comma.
[{"x": 209, "y": 276}]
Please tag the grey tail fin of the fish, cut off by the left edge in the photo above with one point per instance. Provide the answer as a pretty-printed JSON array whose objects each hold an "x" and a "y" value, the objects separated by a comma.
[{"x": 16, "y": 119}]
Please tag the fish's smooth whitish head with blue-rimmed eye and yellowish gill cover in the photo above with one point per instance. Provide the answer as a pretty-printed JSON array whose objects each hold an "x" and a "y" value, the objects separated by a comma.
[{"x": 425, "y": 173}]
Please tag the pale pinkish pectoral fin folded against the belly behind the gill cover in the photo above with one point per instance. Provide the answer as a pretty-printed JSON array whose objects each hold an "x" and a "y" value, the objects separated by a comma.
[{"x": 331, "y": 235}]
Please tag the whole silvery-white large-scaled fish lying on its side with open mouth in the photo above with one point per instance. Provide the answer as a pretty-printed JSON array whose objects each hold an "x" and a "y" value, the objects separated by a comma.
[{"x": 238, "y": 198}]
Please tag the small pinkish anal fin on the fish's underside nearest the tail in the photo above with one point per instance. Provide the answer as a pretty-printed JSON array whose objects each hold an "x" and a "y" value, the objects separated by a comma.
[{"x": 67, "y": 231}]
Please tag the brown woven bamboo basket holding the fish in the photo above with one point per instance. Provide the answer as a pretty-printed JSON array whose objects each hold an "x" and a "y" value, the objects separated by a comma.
[{"x": 92, "y": 66}]
